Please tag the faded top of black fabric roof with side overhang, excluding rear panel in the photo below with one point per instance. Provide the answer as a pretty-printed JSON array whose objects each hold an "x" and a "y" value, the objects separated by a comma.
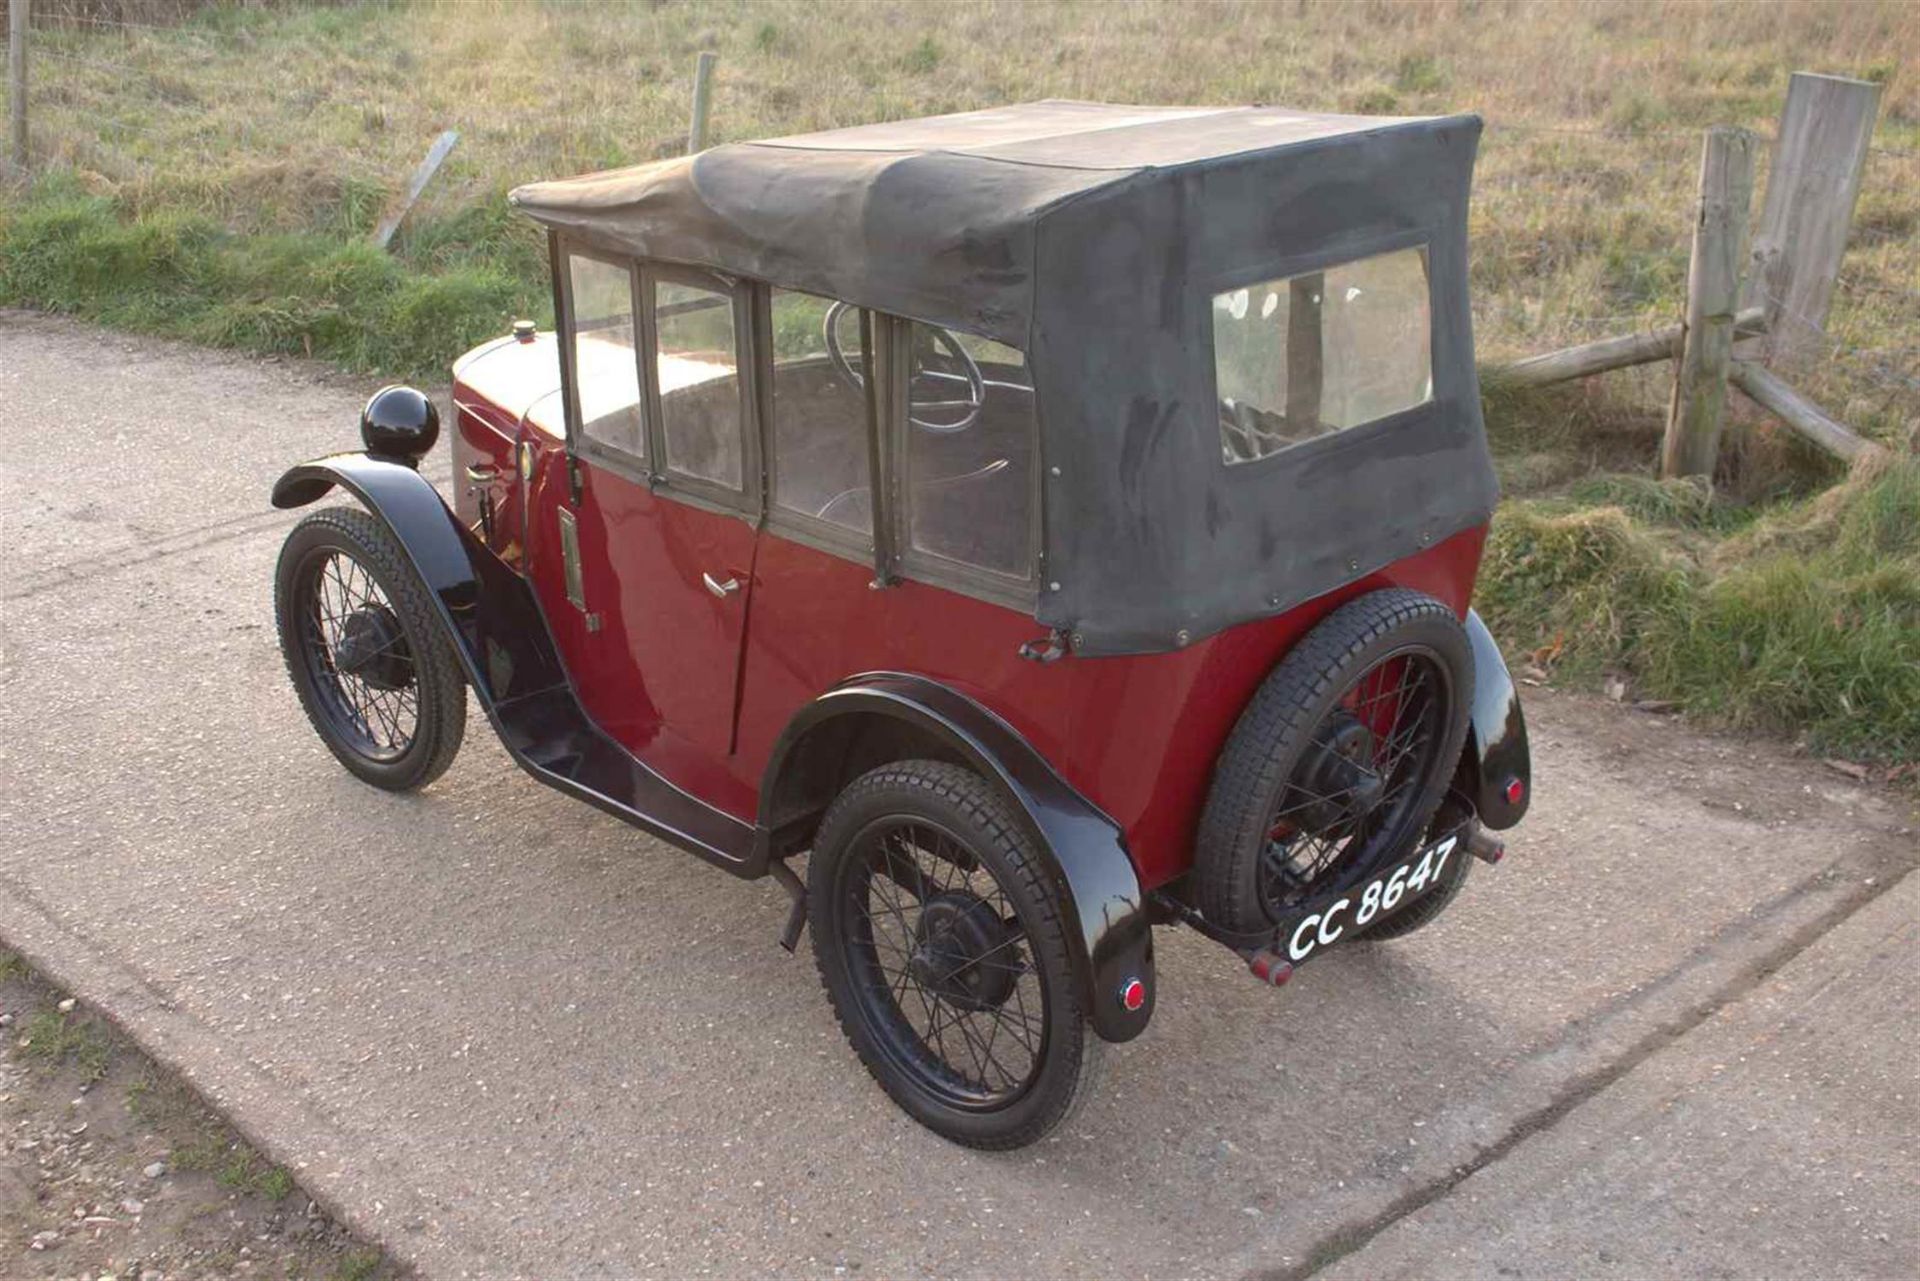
[{"x": 928, "y": 218}]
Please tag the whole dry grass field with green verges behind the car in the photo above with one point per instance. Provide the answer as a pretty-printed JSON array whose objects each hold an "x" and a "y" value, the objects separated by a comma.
[{"x": 212, "y": 172}]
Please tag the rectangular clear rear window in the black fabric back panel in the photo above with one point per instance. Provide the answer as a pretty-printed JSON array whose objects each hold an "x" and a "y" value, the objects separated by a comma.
[{"x": 1322, "y": 352}]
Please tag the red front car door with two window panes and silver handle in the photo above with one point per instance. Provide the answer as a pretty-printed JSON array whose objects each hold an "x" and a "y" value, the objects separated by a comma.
[{"x": 663, "y": 518}]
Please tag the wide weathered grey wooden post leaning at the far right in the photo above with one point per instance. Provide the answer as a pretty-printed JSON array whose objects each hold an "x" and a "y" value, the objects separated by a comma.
[{"x": 1812, "y": 189}]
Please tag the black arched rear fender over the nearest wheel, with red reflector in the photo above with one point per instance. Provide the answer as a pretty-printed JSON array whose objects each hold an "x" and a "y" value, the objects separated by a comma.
[{"x": 1107, "y": 909}]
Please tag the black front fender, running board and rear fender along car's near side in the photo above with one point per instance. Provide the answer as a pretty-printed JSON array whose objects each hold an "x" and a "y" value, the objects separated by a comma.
[{"x": 502, "y": 640}]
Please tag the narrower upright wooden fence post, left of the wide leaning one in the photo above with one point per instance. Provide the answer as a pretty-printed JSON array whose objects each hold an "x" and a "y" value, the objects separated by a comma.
[{"x": 1712, "y": 302}]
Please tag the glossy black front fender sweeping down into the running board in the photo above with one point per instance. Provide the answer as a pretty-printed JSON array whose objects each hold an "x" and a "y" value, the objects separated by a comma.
[{"x": 502, "y": 640}]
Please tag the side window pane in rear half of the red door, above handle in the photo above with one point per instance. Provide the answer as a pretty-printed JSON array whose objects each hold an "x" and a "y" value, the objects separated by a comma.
[{"x": 698, "y": 372}]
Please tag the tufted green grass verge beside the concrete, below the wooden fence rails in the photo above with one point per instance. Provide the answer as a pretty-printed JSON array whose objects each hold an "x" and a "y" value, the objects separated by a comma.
[{"x": 1802, "y": 621}]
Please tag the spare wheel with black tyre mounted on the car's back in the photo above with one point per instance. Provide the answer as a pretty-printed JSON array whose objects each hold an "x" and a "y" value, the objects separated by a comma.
[{"x": 1339, "y": 761}]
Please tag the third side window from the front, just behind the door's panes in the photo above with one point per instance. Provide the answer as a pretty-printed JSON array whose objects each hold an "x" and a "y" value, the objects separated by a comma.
[{"x": 821, "y": 433}]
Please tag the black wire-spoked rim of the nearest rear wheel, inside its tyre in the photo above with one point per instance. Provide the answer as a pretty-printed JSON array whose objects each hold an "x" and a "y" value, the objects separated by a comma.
[{"x": 942, "y": 963}]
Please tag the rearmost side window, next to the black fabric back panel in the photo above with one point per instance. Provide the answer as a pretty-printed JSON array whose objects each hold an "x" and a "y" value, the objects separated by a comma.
[{"x": 971, "y": 452}]
